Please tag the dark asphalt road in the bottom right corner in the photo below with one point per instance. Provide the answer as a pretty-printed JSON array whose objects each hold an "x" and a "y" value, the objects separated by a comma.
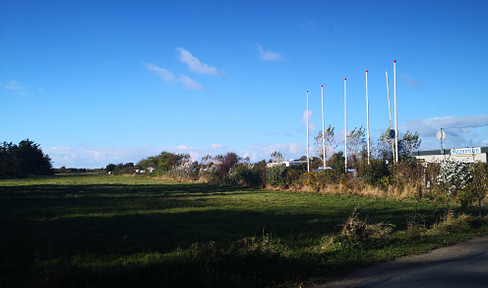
[{"x": 461, "y": 265}]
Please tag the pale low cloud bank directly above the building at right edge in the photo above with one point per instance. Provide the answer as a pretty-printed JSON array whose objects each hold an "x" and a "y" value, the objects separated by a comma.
[{"x": 461, "y": 131}]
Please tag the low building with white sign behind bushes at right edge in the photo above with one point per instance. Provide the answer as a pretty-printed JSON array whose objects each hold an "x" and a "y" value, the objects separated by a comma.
[{"x": 468, "y": 154}]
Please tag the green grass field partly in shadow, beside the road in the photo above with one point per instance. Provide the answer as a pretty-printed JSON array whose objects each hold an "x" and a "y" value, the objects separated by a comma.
[{"x": 114, "y": 231}]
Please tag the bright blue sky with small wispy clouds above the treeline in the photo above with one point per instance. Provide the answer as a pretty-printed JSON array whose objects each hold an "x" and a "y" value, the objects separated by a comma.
[{"x": 98, "y": 82}]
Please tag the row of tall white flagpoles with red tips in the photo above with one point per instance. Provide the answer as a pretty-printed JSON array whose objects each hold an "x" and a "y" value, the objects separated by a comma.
[{"x": 394, "y": 144}]
